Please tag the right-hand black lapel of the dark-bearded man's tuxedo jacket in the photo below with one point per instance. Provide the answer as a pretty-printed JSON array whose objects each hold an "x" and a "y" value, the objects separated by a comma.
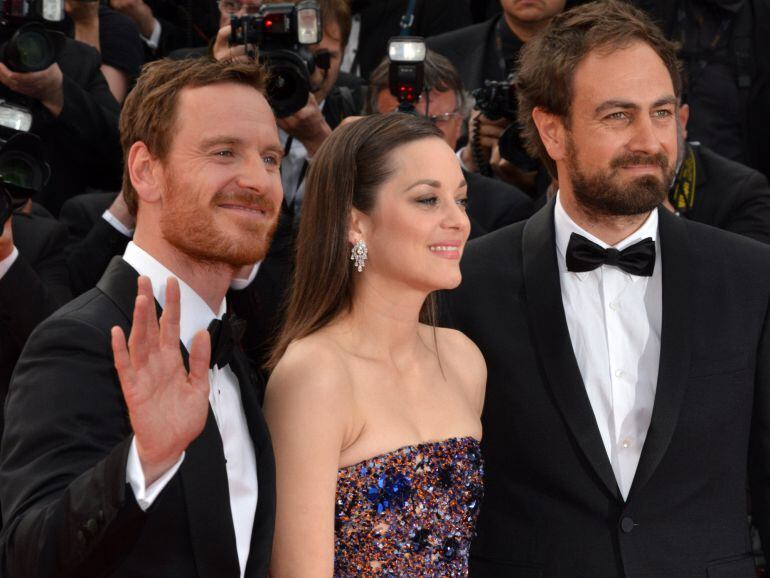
[{"x": 674, "y": 346}]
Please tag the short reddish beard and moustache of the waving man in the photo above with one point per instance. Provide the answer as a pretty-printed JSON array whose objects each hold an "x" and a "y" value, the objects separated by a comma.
[{"x": 189, "y": 228}]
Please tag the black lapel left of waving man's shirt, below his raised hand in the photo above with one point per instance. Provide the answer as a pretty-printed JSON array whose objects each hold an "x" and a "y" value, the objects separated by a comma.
[{"x": 207, "y": 499}]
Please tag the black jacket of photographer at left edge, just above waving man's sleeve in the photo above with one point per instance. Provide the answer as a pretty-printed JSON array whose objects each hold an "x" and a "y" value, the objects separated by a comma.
[{"x": 35, "y": 286}]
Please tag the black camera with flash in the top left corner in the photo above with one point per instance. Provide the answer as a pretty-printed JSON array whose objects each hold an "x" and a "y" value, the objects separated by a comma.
[{"x": 28, "y": 29}]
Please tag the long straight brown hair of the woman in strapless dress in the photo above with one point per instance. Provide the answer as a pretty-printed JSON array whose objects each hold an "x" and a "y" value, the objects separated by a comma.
[{"x": 347, "y": 172}]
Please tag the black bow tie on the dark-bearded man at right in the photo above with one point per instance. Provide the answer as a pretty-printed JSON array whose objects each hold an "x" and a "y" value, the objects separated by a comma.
[{"x": 584, "y": 255}]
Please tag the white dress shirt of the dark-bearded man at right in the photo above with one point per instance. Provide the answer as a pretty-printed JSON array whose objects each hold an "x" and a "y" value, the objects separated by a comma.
[{"x": 614, "y": 322}]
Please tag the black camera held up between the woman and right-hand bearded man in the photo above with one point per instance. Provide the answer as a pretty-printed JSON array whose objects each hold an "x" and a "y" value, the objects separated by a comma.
[{"x": 497, "y": 99}]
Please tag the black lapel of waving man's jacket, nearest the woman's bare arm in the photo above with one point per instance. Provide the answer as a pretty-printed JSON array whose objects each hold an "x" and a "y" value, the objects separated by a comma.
[{"x": 264, "y": 517}]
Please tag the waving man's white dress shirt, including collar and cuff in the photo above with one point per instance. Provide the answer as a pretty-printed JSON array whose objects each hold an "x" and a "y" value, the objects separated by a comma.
[{"x": 225, "y": 400}]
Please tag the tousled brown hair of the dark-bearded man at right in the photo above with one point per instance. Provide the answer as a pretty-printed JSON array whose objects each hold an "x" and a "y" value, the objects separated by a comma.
[{"x": 547, "y": 62}]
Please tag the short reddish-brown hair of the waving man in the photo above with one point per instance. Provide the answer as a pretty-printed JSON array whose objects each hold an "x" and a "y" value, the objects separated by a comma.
[{"x": 149, "y": 112}]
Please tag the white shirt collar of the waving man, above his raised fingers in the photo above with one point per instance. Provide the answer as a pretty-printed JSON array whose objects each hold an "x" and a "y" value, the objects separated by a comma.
[{"x": 195, "y": 313}]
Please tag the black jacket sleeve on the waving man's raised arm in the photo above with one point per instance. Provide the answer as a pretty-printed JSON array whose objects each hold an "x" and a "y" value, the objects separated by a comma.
[{"x": 66, "y": 507}]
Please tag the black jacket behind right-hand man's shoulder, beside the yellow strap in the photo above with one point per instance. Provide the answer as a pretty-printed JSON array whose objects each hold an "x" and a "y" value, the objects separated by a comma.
[{"x": 730, "y": 196}]
